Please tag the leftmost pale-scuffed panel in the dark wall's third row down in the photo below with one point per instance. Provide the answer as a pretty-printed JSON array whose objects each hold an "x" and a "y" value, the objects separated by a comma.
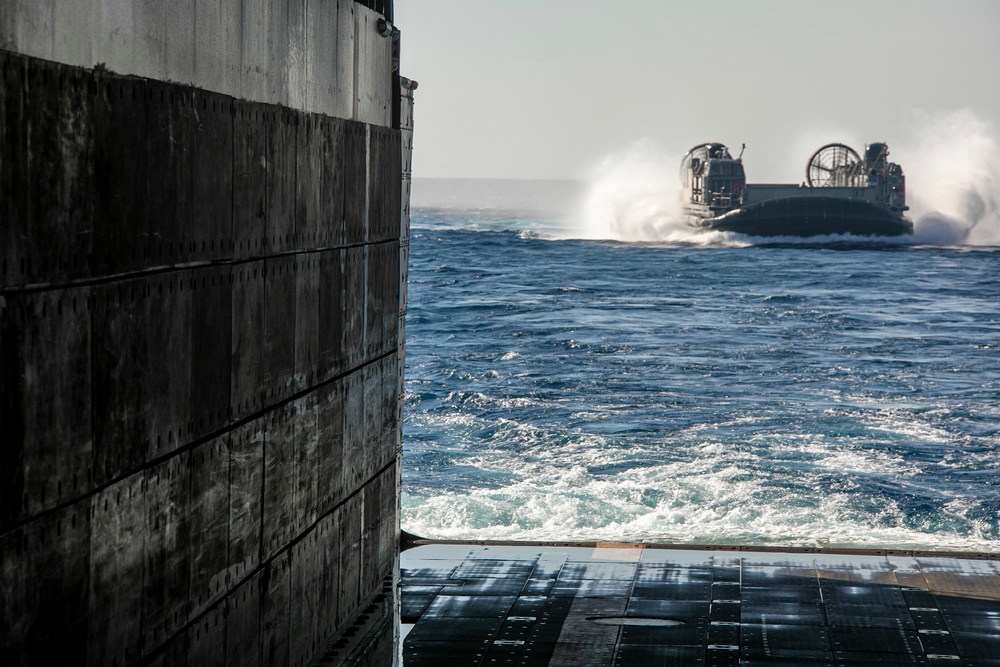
[{"x": 116, "y": 548}]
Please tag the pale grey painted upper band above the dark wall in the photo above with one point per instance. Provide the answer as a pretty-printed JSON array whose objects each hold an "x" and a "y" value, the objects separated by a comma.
[{"x": 321, "y": 56}]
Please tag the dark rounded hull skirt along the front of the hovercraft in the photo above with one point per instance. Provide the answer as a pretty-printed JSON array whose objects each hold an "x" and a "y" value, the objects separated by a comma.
[{"x": 809, "y": 216}]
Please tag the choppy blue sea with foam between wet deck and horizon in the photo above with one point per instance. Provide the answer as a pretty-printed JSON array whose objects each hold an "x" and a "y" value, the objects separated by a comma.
[{"x": 630, "y": 379}]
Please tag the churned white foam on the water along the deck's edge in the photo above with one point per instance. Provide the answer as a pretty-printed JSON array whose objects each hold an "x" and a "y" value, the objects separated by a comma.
[{"x": 710, "y": 494}]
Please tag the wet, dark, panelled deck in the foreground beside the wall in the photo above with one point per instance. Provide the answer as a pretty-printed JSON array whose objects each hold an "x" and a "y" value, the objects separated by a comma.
[{"x": 631, "y": 607}]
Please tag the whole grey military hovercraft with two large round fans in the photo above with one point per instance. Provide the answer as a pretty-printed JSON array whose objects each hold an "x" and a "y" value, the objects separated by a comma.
[{"x": 843, "y": 194}]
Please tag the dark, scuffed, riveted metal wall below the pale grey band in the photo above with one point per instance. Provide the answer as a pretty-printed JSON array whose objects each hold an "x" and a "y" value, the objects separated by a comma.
[{"x": 201, "y": 304}]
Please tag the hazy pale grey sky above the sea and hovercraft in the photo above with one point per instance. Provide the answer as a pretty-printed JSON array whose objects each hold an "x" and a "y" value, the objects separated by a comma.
[{"x": 547, "y": 88}]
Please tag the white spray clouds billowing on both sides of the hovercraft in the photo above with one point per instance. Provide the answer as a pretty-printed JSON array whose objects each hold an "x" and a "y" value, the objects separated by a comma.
[{"x": 952, "y": 164}]
